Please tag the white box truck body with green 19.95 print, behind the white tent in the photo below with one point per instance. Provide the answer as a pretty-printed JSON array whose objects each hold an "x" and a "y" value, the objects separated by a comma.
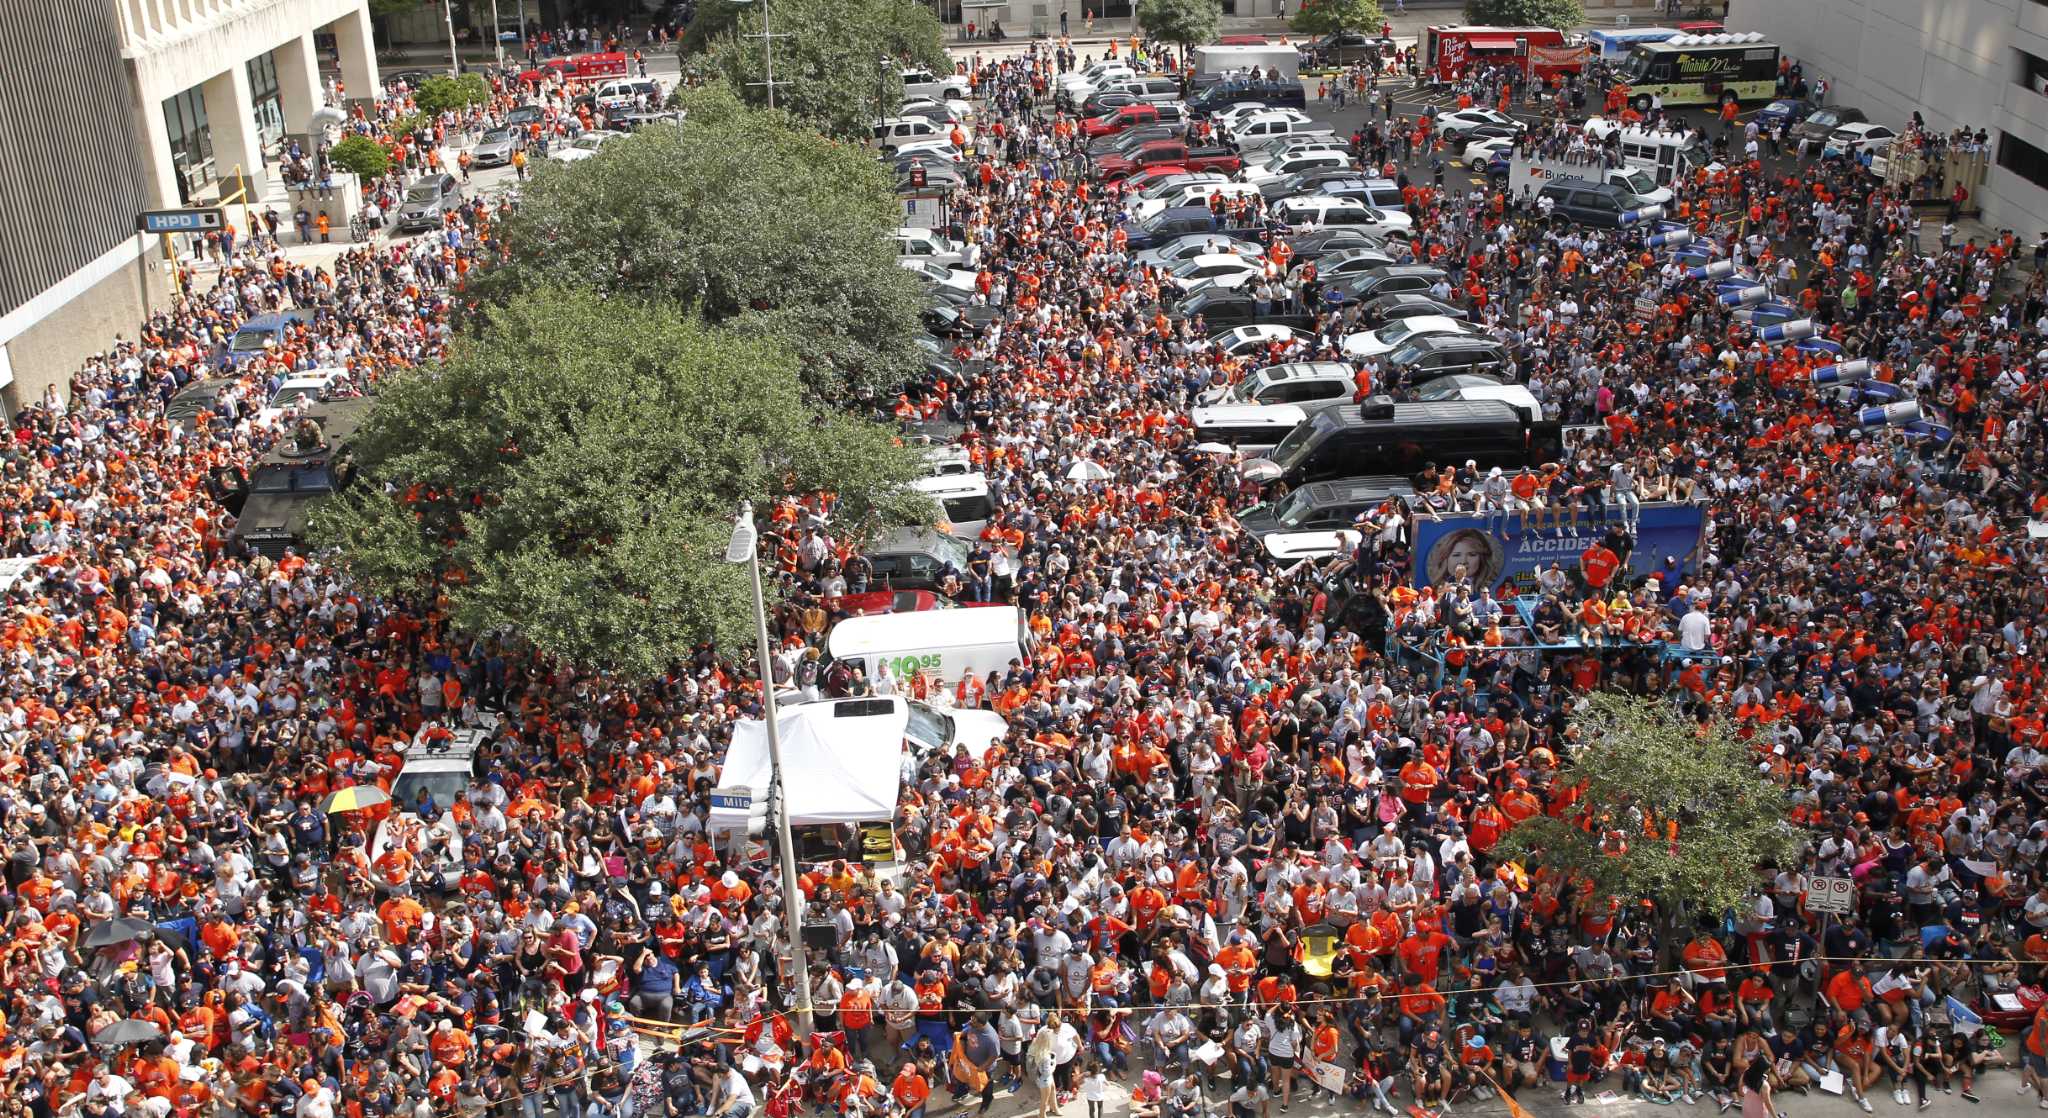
[{"x": 937, "y": 644}]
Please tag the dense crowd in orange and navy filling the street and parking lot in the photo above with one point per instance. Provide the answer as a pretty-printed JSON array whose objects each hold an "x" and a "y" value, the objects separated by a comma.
[{"x": 1232, "y": 851}]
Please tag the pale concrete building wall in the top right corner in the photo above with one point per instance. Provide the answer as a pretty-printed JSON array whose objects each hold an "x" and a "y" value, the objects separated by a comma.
[{"x": 1955, "y": 62}]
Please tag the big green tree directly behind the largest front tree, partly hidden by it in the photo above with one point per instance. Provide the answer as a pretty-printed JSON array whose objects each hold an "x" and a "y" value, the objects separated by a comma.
[{"x": 738, "y": 218}]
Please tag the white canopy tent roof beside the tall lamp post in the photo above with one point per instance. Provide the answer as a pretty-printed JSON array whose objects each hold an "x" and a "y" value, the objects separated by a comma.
[{"x": 841, "y": 765}]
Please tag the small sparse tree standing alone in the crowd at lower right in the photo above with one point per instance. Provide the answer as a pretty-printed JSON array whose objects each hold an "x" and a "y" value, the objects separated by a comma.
[{"x": 1670, "y": 812}]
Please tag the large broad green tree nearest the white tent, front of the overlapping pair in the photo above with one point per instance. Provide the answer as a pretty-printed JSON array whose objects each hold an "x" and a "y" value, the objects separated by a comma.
[{"x": 570, "y": 474}]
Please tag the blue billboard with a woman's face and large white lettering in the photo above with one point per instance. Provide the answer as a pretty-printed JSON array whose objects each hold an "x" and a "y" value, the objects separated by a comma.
[{"x": 1510, "y": 550}]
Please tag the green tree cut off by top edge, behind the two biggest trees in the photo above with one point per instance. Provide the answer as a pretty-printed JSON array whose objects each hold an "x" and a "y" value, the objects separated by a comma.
[{"x": 837, "y": 62}]
